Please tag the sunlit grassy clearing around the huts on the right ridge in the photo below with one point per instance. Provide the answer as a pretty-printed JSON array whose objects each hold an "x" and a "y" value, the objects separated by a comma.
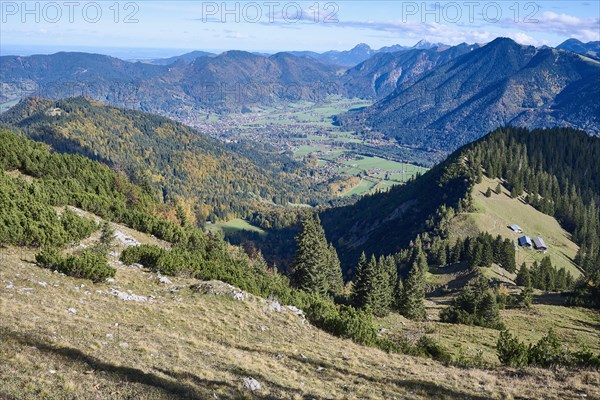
[{"x": 494, "y": 214}]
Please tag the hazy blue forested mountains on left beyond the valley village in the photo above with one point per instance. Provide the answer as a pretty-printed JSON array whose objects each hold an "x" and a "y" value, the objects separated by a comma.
[{"x": 227, "y": 82}]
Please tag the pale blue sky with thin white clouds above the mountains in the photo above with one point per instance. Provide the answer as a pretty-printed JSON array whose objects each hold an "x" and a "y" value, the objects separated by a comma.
[{"x": 147, "y": 29}]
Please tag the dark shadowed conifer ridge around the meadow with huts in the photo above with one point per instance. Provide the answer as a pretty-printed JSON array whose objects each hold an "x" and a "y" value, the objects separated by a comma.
[{"x": 555, "y": 170}]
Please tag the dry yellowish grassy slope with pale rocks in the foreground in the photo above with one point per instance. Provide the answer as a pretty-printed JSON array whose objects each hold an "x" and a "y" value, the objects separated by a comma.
[{"x": 182, "y": 344}]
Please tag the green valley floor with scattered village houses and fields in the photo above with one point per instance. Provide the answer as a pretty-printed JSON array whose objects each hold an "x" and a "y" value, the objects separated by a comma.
[{"x": 366, "y": 161}]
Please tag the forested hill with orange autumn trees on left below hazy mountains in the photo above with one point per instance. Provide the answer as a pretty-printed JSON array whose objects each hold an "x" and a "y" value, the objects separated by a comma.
[{"x": 174, "y": 159}]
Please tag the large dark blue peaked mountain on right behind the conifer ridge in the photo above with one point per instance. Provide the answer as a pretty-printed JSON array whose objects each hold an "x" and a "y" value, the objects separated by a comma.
[{"x": 501, "y": 83}]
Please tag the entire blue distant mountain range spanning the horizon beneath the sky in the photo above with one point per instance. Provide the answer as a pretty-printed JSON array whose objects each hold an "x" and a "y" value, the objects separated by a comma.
[{"x": 429, "y": 96}]
